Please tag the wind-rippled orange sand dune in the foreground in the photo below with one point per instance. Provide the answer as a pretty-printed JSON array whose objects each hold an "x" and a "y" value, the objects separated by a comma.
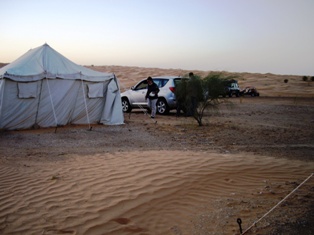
[{"x": 150, "y": 192}]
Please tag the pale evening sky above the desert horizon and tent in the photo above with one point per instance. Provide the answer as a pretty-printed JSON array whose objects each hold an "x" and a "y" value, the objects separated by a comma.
[{"x": 262, "y": 36}]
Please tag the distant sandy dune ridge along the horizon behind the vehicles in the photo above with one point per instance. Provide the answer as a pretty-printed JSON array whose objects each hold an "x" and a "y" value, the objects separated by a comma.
[{"x": 267, "y": 84}]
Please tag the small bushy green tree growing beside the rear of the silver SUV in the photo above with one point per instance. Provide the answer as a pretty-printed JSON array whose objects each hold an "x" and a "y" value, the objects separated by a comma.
[{"x": 201, "y": 94}]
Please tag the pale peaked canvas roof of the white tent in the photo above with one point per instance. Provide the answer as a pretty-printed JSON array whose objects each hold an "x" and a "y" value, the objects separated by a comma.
[{"x": 44, "y": 62}]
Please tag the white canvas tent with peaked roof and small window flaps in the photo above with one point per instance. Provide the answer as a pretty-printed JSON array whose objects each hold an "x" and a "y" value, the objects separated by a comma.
[{"x": 42, "y": 88}]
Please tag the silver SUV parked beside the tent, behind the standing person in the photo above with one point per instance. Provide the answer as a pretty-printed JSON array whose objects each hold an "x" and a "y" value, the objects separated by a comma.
[{"x": 135, "y": 97}]
